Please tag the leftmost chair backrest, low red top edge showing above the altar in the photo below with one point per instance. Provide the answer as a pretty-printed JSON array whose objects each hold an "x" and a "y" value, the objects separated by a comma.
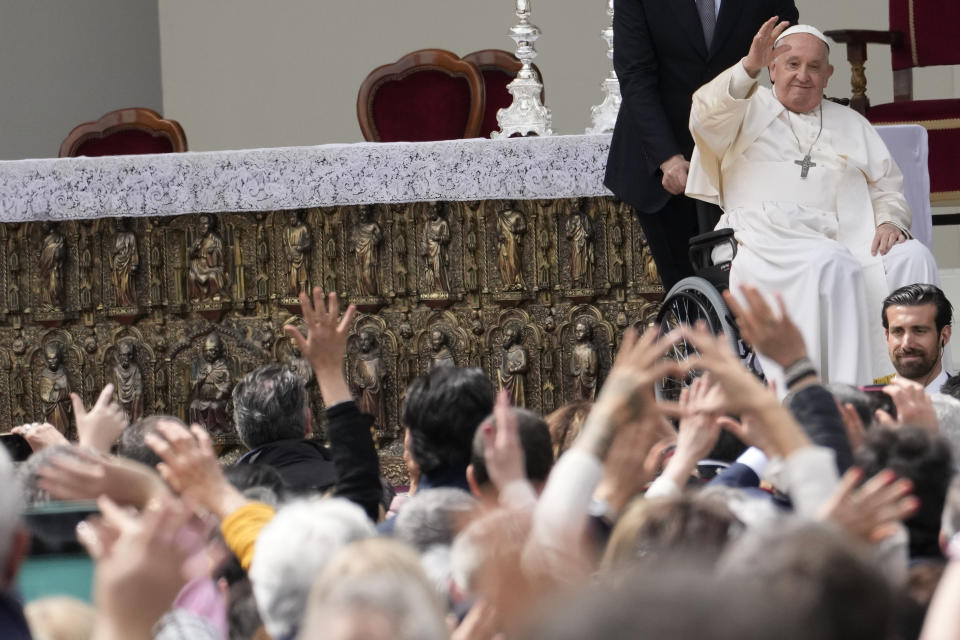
[{"x": 125, "y": 131}]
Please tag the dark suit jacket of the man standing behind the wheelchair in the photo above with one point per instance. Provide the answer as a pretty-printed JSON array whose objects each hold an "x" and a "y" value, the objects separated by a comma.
[{"x": 661, "y": 58}]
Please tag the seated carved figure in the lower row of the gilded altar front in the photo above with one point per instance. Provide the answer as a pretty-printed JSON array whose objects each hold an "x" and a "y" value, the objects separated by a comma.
[{"x": 210, "y": 400}]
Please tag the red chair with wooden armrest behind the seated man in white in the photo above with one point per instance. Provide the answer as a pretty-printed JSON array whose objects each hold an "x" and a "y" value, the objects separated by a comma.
[{"x": 922, "y": 34}]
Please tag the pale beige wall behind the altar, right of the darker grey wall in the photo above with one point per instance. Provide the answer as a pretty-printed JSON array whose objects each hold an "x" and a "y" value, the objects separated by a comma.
[{"x": 249, "y": 73}]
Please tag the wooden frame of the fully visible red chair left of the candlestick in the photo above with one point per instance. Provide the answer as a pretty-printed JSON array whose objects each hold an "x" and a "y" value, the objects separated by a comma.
[{"x": 413, "y": 62}]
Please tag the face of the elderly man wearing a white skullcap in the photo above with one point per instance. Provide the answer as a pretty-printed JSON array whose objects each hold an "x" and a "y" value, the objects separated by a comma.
[{"x": 801, "y": 74}]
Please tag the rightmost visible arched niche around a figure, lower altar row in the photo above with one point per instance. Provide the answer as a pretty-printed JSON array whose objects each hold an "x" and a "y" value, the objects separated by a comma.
[{"x": 602, "y": 339}]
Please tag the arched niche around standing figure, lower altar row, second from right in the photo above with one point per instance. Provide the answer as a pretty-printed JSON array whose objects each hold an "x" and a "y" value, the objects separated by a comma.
[{"x": 532, "y": 342}]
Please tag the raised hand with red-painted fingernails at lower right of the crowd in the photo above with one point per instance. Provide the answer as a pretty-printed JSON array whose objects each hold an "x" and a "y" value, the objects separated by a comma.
[{"x": 872, "y": 511}]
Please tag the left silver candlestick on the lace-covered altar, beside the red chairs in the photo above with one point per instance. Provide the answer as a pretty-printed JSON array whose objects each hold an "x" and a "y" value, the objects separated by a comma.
[{"x": 526, "y": 115}]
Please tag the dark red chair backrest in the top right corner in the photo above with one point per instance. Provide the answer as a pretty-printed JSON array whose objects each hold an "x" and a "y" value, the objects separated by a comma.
[{"x": 929, "y": 28}]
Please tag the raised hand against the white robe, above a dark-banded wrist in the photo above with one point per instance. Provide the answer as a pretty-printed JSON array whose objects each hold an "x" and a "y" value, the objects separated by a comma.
[{"x": 771, "y": 334}]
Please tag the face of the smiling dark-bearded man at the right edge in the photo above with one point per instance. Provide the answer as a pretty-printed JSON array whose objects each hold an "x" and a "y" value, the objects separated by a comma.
[{"x": 914, "y": 342}]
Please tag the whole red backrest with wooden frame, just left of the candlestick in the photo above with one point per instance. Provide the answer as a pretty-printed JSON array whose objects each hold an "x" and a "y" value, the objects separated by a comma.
[{"x": 429, "y": 94}]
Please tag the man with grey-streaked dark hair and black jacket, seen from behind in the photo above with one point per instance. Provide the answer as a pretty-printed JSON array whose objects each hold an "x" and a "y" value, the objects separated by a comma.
[{"x": 273, "y": 418}]
